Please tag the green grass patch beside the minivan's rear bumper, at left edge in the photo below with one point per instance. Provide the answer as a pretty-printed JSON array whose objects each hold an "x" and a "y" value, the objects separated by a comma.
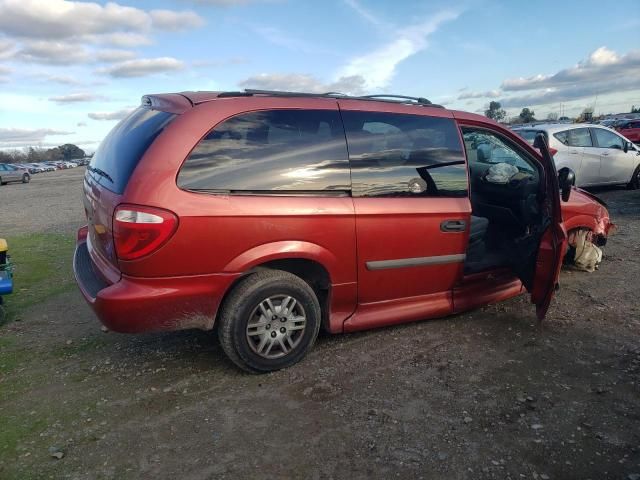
[{"x": 42, "y": 268}]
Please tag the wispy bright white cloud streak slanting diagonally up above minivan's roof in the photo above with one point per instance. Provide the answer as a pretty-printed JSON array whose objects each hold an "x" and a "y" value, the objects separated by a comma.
[{"x": 378, "y": 67}]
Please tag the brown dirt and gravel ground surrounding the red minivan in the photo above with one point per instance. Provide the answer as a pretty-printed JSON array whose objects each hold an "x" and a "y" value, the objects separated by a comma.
[{"x": 488, "y": 394}]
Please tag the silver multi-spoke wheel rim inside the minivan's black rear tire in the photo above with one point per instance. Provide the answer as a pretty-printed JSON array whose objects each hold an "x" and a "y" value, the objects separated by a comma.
[{"x": 276, "y": 326}]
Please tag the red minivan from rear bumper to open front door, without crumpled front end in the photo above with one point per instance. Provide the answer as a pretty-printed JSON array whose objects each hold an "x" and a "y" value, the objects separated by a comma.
[{"x": 272, "y": 214}]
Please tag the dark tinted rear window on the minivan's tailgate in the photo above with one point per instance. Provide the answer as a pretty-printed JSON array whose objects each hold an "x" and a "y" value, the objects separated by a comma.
[{"x": 119, "y": 153}]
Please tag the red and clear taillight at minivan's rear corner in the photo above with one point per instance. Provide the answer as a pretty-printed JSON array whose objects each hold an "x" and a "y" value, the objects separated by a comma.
[{"x": 139, "y": 230}]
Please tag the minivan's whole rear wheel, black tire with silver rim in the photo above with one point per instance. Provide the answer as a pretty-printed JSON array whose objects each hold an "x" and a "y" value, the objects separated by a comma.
[{"x": 269, "y": 321}]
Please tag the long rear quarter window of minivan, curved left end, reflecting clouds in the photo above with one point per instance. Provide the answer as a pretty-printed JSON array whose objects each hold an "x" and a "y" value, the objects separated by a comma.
[{"x": 271, "y": 150}]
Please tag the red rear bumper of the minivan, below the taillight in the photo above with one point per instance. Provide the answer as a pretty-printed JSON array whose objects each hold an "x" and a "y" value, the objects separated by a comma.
[{"x": 134, "y": 304}]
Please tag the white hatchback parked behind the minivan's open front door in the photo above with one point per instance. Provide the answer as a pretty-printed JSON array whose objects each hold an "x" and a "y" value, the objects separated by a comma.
[{"x": 596, "y": 154}]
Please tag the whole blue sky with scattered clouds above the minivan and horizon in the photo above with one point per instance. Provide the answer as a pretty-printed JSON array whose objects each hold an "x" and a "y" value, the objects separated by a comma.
[{"x": 70, "y": 70}]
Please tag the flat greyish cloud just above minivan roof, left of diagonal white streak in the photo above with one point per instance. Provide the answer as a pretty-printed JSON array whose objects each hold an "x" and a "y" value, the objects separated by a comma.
[{"x": 303, "y": 83}]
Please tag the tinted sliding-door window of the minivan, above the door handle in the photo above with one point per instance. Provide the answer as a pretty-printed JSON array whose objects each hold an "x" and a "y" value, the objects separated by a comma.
[{"x": 404, "y": 155}]
